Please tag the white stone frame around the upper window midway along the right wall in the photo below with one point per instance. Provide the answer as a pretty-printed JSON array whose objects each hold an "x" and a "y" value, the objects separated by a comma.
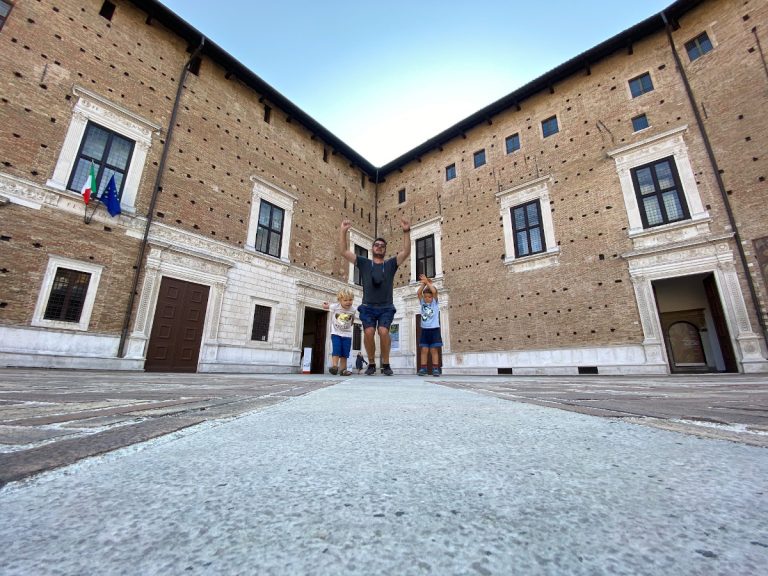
[{"x": 537, "y": 189}]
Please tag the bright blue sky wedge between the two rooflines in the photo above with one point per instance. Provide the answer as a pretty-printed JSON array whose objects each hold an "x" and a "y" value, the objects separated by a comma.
[{"x": 385, "y": 76}]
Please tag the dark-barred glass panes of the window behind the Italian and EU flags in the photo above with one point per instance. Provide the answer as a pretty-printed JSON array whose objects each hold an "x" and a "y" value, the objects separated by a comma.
[{"x": 109, "y": 152}]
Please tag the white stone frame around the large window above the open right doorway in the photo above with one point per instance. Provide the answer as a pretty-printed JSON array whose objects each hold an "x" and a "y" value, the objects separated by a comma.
[{"x": 646, "y": 151}]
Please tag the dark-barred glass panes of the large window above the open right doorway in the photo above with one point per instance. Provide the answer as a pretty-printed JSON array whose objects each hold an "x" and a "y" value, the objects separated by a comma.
[{"x": 659, "y": 193}]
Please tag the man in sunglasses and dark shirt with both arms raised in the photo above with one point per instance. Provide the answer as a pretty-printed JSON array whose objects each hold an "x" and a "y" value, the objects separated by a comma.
[{"x": 377, "y": 275}]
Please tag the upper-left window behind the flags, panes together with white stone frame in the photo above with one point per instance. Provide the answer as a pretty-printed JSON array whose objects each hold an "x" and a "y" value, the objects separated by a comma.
[{"x": 117, "y": 140}]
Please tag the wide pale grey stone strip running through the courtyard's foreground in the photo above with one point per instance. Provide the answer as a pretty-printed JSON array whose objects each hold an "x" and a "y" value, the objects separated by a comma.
[{"x": 377, "y": 476}]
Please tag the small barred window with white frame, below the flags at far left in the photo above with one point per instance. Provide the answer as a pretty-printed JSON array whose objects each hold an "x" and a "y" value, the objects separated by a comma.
[{"x": 67, "y": 294}]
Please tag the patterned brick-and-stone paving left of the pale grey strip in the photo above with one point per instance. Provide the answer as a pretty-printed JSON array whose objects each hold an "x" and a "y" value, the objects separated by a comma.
[{"x": 53, "y": 418}]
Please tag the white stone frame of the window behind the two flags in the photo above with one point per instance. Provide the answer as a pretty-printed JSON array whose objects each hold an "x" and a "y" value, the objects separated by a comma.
[{"x": 99, "y": 110}]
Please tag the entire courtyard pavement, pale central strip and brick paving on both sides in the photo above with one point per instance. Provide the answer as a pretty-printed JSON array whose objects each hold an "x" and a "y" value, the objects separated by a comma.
[{"x": 115, "y": 473}]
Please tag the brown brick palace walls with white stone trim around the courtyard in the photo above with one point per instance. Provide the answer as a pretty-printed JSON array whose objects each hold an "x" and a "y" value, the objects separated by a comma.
[{"x": 587, "y": 301}]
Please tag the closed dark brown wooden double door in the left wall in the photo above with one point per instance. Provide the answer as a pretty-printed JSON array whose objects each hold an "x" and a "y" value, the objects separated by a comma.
[{"x": 177, "y": 329}]
